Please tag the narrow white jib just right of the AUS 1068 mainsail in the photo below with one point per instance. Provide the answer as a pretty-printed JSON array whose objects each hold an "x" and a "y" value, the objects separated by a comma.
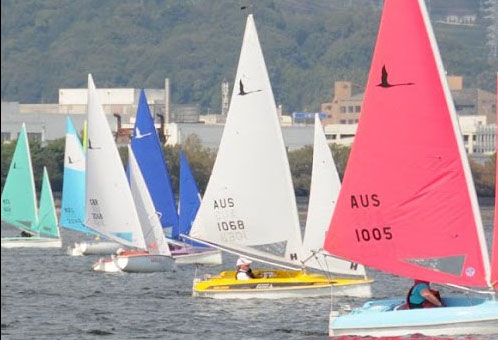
[{"x": 325, "y": 187}]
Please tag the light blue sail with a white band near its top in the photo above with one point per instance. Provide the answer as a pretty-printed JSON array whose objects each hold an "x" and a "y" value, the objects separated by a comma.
[{"x": 73, "y": 185}]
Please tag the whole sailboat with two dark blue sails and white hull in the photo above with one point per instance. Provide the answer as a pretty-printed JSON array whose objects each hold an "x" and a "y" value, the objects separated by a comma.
[{"x": 149, "y": 154}]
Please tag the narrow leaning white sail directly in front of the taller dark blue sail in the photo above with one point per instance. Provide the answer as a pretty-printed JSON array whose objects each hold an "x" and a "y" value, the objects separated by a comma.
[{"x": 155, "y": 241}]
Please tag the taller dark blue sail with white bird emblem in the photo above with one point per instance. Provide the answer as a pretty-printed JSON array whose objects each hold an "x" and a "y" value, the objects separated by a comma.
[{"x": 150, "y": 158}]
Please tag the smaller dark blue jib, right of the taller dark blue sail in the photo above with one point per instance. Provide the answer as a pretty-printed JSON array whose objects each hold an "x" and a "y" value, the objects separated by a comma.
[{"x": 190, "y": 199}]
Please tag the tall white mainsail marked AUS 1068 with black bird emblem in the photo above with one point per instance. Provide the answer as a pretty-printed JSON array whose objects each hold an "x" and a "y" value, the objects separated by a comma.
[{"x": 249, "y": 200}]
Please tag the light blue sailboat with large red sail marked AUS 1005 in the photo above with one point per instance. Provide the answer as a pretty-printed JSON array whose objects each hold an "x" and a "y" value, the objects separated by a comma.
[{"x": 408, "y": 205}]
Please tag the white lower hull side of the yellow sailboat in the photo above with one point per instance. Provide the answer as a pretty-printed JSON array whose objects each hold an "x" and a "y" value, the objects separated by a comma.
[{"x": 362, "y": 291}]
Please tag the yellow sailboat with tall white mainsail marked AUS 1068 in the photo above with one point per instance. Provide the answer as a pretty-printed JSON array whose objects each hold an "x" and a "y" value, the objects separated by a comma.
[{"x": 249, "y": 207}]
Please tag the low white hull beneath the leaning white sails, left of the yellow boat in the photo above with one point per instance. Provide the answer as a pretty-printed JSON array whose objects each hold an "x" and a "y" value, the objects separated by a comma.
[{"x": 135, "y": 264}]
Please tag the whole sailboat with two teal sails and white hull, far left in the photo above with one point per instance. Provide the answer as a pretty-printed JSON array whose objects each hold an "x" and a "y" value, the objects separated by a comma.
[{"x": 18, "y": 204}]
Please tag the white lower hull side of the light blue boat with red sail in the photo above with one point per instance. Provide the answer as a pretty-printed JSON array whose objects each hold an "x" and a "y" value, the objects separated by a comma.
[{"x": 456, "y": 328}]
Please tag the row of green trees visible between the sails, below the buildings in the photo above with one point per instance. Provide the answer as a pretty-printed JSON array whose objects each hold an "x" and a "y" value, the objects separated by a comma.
[{"x": 201, "y": 160}]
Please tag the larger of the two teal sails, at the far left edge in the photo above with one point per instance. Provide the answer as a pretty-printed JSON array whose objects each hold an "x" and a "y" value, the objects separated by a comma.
[{"x": 18, "y": 204}]
